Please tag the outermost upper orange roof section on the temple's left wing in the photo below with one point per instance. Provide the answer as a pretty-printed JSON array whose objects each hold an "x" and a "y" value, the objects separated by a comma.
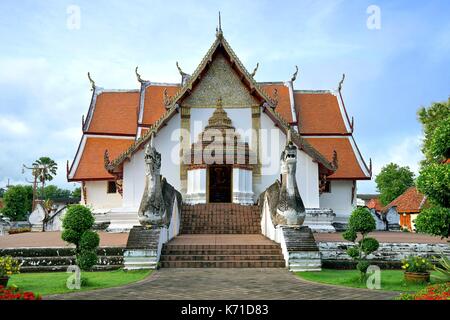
[{"x": 115, "y": 113}]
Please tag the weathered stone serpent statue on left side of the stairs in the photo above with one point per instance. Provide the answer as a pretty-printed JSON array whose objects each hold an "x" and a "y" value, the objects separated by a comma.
[{"x": 152, "y": 210}]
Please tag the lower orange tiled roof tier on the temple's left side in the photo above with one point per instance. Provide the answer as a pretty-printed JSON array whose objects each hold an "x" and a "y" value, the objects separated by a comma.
[{"x": 91, "y": 165}]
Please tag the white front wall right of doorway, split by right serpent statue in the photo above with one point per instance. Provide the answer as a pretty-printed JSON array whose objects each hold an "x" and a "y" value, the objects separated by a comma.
[{"x": 272, "y": 144}]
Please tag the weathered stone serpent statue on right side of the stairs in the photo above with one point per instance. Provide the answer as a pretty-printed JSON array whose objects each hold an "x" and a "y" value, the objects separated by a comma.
[{"x": 290, "y": 208}]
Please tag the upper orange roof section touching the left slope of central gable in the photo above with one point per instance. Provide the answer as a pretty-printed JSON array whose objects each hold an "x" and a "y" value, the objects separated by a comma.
[{"x": 154, "y": 106}]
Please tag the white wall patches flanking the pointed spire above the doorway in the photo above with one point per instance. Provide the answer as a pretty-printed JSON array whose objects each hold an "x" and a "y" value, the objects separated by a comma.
[{"x": 241, "y": 119}]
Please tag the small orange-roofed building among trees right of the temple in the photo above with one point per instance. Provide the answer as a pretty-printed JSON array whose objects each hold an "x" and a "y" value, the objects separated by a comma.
[{"x": 408, "y": 206}]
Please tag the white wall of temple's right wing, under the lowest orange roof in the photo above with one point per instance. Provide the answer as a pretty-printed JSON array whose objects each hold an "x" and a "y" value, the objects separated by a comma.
[{"x": 339, "y": 199}]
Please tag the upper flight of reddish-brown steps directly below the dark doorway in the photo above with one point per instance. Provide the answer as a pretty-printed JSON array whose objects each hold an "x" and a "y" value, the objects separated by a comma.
[{"x": 220, "y": 218}]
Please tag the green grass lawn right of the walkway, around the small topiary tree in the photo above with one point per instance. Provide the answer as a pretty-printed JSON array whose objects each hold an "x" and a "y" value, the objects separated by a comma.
[{"x": 391, "y": 280}]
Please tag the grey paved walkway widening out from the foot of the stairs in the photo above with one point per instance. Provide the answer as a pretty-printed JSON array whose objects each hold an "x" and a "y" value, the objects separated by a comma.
[{"x": 227, "y": 284}]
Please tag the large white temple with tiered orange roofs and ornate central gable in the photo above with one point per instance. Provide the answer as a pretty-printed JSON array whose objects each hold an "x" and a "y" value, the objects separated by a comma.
[{"x": 221, "y": 136}]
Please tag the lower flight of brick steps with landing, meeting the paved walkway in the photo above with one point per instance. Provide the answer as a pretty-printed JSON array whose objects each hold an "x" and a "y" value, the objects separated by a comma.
[{"x": 222, "y": 251}]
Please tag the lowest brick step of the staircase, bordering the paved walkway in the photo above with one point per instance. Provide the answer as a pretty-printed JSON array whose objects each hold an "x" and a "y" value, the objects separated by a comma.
[{"x": 223, "y": 264}]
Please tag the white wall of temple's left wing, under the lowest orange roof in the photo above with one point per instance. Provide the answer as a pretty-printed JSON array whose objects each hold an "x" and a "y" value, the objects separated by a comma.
[{"x": 98, "y": 198}]
